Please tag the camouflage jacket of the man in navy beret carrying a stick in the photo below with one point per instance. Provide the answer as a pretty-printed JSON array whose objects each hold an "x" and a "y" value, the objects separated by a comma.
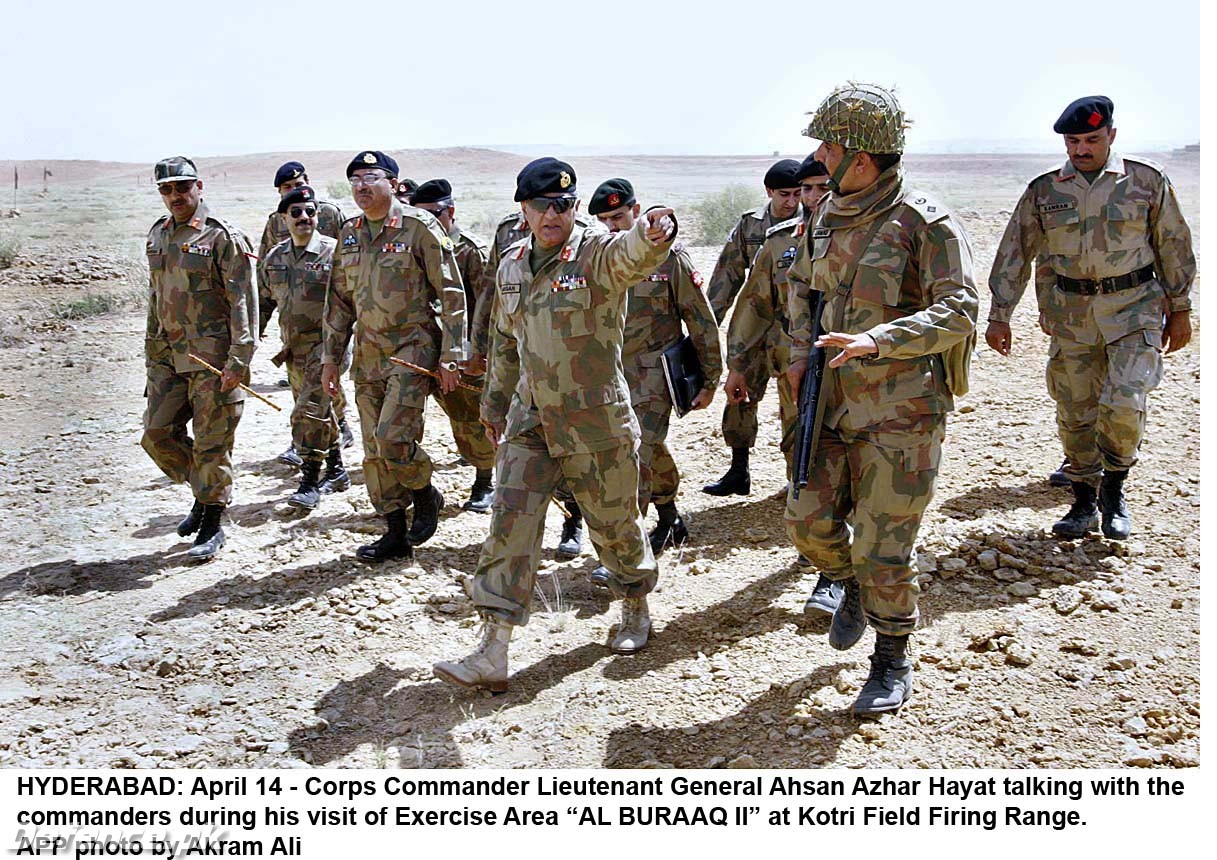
[{"x": 403, "y": 286}]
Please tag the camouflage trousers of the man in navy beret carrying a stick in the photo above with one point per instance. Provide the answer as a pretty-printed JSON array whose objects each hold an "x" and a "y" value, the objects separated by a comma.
[{"x": 391, "y": 414}]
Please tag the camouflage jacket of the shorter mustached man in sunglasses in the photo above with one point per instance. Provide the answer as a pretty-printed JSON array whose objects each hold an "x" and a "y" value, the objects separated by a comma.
[{"x": 299, "y": 285}]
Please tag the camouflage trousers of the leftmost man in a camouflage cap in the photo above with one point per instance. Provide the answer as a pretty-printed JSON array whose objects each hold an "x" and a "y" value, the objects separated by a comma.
[{"x": 173, "y": 401}]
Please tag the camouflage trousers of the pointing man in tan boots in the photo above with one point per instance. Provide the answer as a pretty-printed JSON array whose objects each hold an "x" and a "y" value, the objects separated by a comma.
[{"x": 605, "y": 486}]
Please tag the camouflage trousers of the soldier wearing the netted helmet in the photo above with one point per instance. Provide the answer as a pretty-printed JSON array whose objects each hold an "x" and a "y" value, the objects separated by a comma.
[{"x": 860, "y": 514}]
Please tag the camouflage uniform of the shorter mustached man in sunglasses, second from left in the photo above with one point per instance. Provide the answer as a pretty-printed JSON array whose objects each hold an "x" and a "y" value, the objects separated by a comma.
[{"x": 298, "y": 285}]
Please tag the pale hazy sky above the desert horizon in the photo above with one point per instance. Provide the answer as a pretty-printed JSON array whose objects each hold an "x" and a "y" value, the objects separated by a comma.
[{"x": 131, "y": 81}]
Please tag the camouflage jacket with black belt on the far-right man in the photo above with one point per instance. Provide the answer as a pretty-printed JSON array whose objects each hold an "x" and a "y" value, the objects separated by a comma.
[{"x": 1128, "y": 221}]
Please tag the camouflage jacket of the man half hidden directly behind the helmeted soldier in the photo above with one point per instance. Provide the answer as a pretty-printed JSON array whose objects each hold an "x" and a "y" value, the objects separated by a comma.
[{"x": 761, "y": 321}]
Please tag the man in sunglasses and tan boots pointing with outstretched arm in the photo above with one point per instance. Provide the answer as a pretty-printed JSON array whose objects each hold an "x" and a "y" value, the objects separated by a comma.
[{"x": 558, "y": 404}]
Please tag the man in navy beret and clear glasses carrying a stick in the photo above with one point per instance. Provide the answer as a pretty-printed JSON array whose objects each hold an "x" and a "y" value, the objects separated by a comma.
[{"x": 396, "y": 277}]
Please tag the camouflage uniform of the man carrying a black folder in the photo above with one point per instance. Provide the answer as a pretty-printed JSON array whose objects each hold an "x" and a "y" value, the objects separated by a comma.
[{"x": 654, "y": 313}]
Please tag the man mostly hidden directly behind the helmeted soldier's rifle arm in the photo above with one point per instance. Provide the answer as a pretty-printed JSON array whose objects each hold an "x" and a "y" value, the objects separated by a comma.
[{"x": 759, "y": 335}]
